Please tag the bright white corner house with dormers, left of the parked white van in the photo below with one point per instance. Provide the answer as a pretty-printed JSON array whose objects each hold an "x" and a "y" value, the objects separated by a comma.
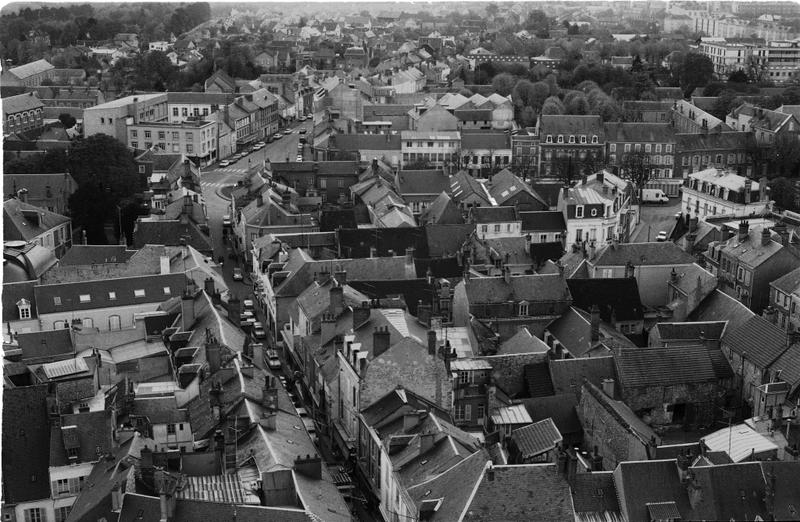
[{"x": 598, "y": 210}]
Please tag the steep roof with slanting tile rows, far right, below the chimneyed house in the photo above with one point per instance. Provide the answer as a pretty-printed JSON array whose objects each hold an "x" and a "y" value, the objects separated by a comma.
[{"x": 760, "y": 341}]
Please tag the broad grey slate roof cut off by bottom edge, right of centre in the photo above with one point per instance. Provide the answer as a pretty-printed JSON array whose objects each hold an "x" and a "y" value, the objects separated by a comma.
[{"x": 508, "y": 495}]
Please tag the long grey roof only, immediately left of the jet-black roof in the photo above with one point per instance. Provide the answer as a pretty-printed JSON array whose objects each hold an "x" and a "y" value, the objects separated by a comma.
[{"x": 531, "y": 288}]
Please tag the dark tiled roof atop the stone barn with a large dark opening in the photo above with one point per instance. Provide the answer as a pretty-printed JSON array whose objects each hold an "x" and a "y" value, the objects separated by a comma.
[{"x": 671, "y": 366}]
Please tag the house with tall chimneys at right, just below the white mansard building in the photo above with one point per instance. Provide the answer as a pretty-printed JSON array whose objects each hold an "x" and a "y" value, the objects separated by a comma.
[{"x": 745, "y": 264}]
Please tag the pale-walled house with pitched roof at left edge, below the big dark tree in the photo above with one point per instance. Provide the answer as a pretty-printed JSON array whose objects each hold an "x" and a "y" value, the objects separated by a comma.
[{"x": 25, "y": 222}]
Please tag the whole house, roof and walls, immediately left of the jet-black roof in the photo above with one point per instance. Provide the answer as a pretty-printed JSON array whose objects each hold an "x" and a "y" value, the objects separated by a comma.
[{"x": 509, "y": 302}]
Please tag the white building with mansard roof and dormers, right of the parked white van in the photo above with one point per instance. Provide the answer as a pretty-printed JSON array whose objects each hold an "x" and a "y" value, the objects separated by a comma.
[{"x": 717, "y": 192}]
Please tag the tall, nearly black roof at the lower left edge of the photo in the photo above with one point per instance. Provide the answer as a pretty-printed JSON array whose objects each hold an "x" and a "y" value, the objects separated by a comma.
[{"x": 26, "y": 443}]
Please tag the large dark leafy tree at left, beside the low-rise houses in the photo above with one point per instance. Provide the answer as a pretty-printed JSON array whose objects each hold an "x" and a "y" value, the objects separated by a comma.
[{"x": 106, "y": 175}]
